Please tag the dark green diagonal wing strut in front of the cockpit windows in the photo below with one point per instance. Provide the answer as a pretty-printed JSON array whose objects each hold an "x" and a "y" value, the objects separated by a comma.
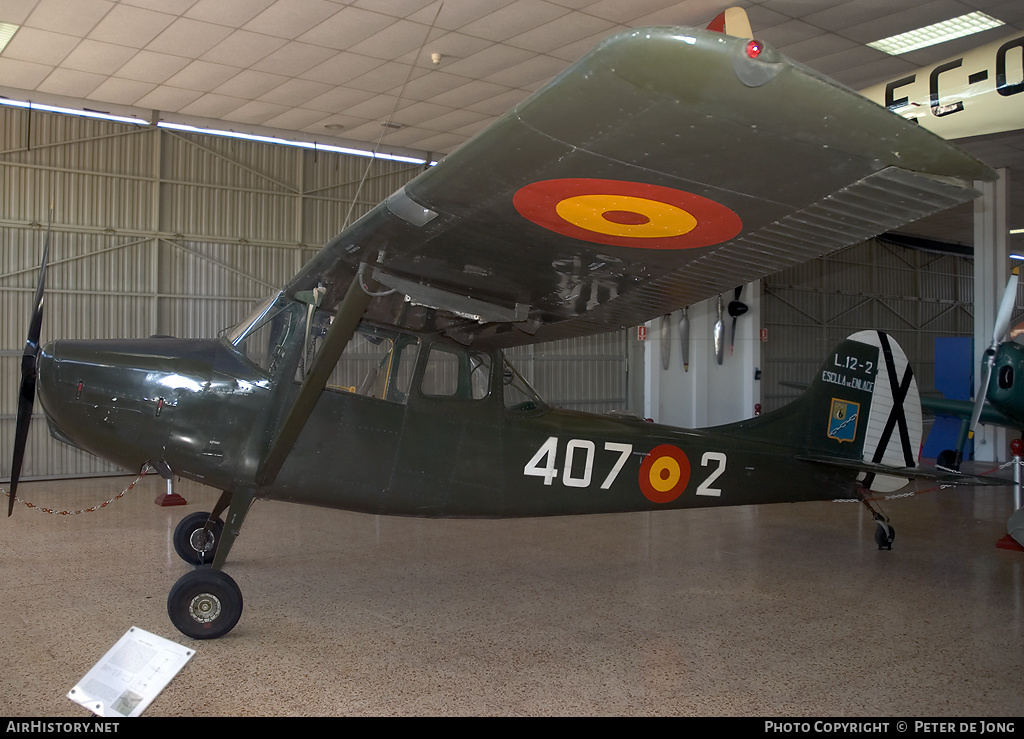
[{"x": 343, "y": 328}]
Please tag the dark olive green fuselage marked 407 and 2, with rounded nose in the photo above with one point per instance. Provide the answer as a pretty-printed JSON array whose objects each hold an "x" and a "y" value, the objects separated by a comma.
[{"x": 207, "y": 413}]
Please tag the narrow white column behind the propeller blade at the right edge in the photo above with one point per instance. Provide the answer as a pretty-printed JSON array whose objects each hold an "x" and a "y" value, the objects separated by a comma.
[{"x": 992, "y": 258}]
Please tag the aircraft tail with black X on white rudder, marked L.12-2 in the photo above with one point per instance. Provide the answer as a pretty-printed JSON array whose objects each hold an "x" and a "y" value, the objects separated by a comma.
[{"x": 862, "y": 412}]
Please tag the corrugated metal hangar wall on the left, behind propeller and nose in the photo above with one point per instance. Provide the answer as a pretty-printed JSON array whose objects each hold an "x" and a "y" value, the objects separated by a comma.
[{"x": 165, "y": 233}]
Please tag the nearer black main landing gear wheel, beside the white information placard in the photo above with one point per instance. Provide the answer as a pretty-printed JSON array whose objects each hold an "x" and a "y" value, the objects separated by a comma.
[{"x": 205, "y": 604}]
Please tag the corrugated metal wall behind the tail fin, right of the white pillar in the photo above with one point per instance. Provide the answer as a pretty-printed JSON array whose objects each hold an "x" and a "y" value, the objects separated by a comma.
[{"x": 914, "y": 295}]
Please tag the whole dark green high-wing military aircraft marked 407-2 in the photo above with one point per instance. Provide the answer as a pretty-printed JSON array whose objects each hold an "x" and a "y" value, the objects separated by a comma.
[{"x": 666, "y": 167}]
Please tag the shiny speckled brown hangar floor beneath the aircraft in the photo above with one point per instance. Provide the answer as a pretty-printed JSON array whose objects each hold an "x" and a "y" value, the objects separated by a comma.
[{"x": 784, "y": 611}]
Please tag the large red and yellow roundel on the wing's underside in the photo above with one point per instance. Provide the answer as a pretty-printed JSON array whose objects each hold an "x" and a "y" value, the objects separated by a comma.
[{"x": 626, "y": 214}]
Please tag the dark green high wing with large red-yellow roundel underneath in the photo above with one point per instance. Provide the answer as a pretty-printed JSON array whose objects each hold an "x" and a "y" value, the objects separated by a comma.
[{"x": 667, "y": 166}]
